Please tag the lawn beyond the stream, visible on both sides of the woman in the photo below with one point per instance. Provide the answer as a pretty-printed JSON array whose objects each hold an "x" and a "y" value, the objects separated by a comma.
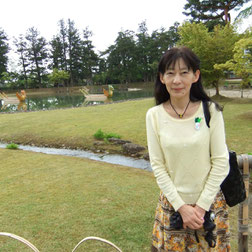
[{"x": 74, "y": 128}]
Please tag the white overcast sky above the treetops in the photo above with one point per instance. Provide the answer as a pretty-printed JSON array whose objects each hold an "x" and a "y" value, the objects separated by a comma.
[{"x": 105, "y": 18}]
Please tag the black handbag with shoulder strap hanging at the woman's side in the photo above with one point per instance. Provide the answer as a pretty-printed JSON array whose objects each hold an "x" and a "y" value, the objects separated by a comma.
[{"x": 233, "y": 186}]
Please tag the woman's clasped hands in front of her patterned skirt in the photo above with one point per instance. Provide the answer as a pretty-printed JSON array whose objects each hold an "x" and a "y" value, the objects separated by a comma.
[{"x": 191, "y": 218}]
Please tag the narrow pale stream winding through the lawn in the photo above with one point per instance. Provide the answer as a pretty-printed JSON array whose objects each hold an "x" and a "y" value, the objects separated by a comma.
[{"x": 107, "y": 158}]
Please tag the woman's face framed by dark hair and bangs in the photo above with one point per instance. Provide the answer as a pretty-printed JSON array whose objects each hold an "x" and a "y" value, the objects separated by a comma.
[{"x": 178, "y": 79}]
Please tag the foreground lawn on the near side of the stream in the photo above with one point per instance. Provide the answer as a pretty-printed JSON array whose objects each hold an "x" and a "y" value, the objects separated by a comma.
[{"x": 56, "y": 201}]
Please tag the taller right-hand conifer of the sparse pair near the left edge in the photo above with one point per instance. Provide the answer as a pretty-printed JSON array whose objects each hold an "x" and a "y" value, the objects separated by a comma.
[{"x": 37, "y": 55}]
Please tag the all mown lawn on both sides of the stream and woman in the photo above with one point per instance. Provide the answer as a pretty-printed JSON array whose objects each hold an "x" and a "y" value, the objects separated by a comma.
[{"x": 56, "y": 201}]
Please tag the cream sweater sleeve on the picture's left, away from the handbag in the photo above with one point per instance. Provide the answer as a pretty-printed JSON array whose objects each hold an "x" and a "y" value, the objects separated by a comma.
[{"x": 157, "y": 161}]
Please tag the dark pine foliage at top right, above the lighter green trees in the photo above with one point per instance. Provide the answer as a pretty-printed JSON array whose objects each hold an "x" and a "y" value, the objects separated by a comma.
[{"x": 212, "y": 12}]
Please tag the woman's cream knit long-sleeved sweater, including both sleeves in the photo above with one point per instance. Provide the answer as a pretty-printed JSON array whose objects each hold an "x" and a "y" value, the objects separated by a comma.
[{"x": 189, "y": 164}]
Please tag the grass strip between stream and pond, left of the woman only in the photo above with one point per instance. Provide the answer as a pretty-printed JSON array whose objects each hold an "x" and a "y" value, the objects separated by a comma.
[{"x": 75, "y": 127}]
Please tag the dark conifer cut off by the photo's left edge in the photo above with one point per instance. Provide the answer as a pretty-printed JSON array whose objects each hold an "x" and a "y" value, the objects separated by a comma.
[{"x": 4, "y": 49}]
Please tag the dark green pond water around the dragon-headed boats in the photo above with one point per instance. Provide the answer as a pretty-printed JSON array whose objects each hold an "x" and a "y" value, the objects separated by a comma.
[{"x": 55, "y": 98}]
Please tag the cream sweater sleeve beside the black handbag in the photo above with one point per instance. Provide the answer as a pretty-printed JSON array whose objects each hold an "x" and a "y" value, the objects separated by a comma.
[{"x": 219, "y": 160}]
